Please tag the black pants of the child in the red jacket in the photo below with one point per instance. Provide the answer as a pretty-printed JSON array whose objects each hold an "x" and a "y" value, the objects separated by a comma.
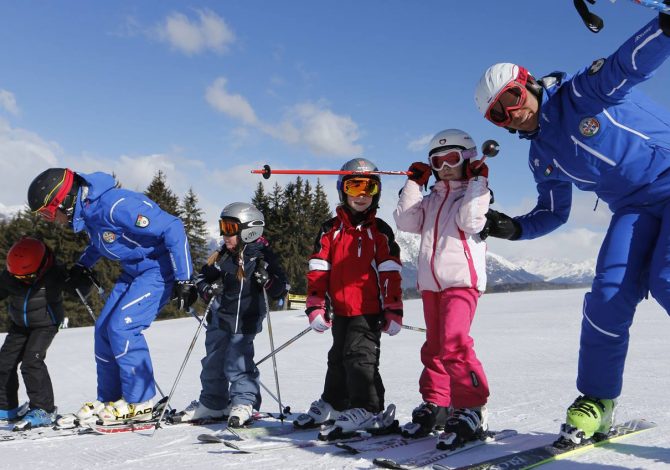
[{"x": 352, "y": 379}]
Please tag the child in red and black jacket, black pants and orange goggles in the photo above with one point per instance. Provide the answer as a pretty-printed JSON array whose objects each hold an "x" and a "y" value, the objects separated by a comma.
[{"x": 355, "y": 270}]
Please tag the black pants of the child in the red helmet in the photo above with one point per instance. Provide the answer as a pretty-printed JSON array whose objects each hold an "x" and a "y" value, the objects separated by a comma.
[{"x": 27, "y": 346}]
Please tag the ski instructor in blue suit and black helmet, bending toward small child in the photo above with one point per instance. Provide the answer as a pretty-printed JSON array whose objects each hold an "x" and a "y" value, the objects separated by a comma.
[{"x": 153, "y": 250}]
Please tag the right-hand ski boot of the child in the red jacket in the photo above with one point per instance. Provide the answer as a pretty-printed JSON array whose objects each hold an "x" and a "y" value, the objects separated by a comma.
[{"x": 355, "y": 420}]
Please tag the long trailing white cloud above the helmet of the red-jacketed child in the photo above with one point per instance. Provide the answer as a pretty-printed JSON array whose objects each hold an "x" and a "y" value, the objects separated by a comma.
[{"x": 311, "y": 124}]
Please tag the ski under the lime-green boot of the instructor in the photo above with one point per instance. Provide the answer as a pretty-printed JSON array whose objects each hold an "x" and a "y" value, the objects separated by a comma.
[{"x": 537, "y": 456}]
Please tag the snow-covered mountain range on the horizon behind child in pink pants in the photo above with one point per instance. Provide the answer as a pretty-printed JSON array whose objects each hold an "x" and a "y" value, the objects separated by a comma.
[{"x": 501, "y": 271}]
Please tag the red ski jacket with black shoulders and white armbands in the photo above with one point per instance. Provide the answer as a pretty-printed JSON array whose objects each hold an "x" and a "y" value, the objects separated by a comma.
[{"x": 357, "y": 266}]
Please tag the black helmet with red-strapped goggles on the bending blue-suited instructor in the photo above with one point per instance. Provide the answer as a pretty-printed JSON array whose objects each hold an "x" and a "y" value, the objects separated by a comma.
[{"x": 55, "y": 188}]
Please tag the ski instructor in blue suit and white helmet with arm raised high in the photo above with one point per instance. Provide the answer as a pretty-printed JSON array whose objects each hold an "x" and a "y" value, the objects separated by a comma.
[{"x": 595, "y": 131}]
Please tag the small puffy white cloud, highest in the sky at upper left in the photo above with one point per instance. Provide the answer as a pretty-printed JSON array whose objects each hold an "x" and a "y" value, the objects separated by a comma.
[{"x": 193, "y": 36}]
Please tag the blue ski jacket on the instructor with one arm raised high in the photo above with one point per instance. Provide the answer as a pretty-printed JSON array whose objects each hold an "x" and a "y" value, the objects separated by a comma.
[{"x": 600, "y": 134}]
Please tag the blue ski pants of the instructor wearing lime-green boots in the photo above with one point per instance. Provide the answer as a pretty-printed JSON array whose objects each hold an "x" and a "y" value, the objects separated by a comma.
[{"x": 634, "y": 259}]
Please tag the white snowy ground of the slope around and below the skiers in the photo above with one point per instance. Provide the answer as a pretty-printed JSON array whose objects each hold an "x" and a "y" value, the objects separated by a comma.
[{"x": 527, "y": 342}]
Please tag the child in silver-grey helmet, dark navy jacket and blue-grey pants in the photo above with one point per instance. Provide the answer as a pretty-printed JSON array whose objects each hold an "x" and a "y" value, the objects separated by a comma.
[{"x": 236, "y": 274}]
